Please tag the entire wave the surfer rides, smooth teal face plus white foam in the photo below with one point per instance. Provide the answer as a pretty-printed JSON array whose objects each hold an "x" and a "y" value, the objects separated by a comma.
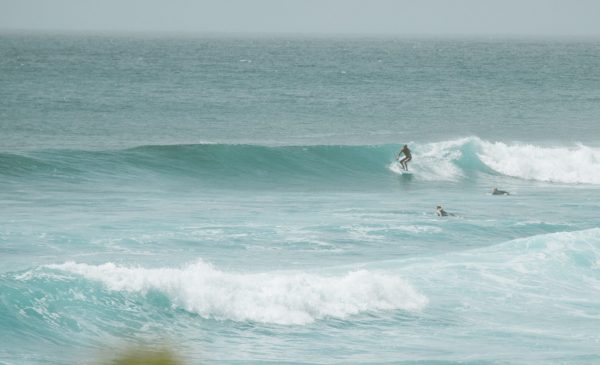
[{"x": 221, "y": 164}]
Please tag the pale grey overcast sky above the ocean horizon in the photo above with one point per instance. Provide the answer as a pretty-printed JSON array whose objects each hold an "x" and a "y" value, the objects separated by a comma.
[{"x": 403, "y": 17}]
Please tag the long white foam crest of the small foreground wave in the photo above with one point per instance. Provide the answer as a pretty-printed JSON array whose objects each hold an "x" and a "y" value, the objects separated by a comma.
[{"x": 272, "y": 297}]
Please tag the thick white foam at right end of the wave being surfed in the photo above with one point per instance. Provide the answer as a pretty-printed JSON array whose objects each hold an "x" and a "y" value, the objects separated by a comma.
[{"x": 577, "y": 164}]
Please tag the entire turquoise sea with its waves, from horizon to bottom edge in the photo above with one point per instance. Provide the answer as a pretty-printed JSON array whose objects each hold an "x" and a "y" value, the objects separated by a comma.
[{"x": 237, "y": 199}]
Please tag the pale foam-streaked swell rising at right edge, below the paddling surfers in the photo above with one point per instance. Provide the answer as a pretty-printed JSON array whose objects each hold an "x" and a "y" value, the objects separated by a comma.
[{"x": 560, "y": 267}]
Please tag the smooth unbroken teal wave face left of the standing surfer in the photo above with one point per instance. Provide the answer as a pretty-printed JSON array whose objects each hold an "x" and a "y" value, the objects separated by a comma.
[{"x": 208, "y": 163}]
